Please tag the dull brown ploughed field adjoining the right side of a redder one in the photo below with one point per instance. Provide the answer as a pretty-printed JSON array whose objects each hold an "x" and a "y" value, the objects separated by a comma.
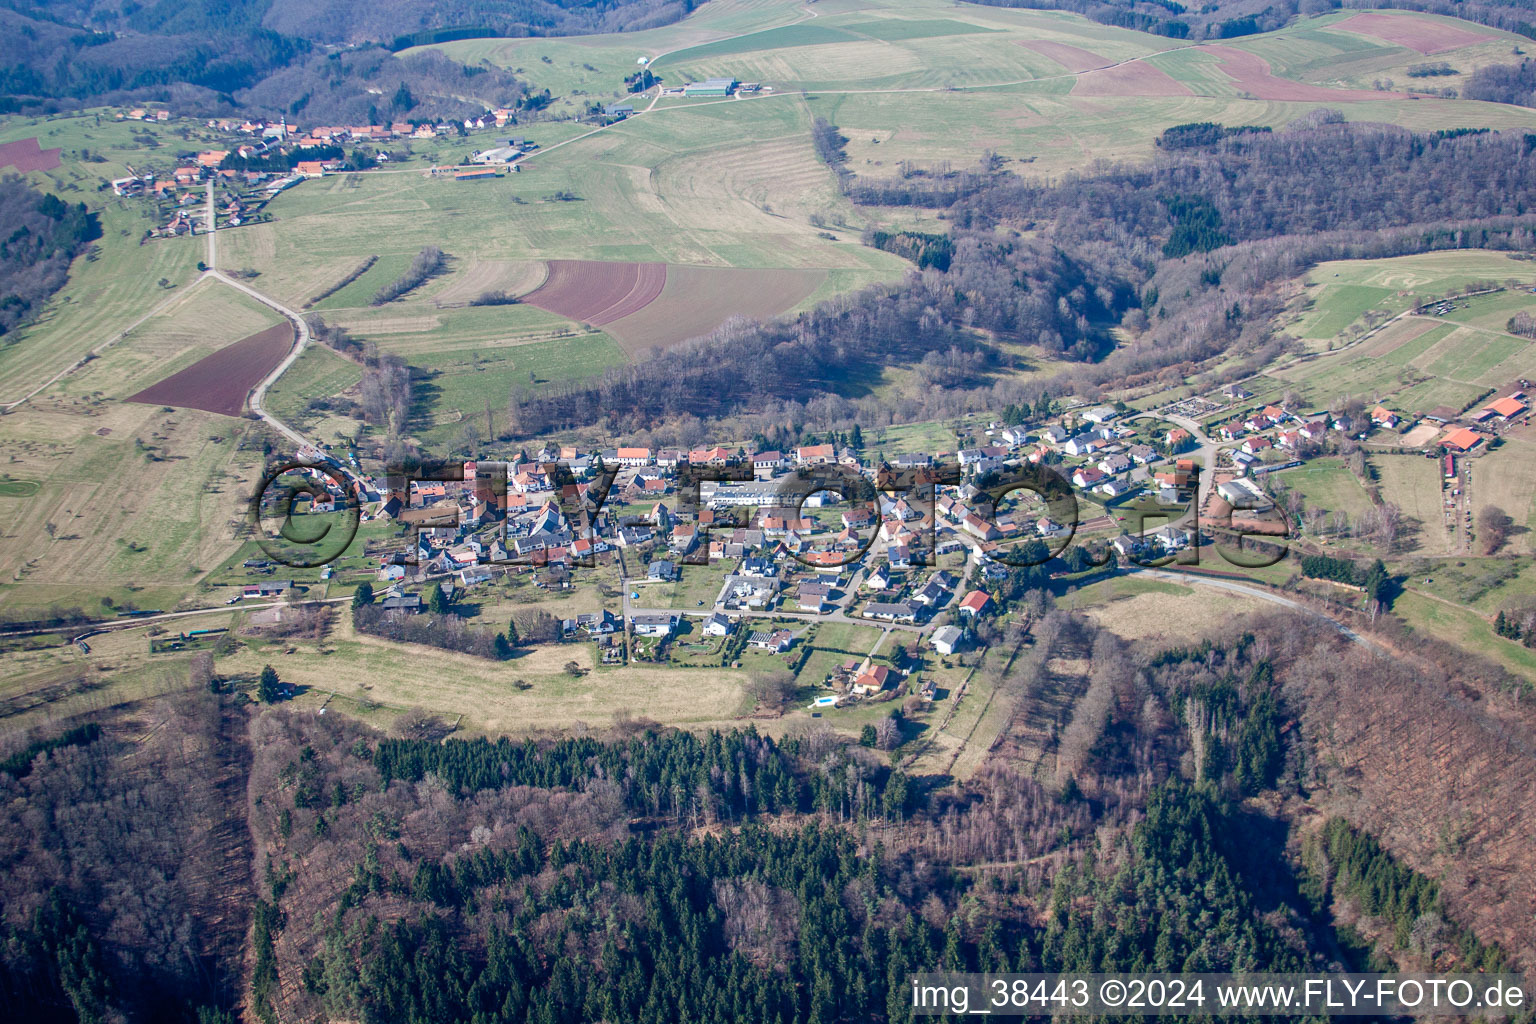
[{"x": 698, "y": 300}]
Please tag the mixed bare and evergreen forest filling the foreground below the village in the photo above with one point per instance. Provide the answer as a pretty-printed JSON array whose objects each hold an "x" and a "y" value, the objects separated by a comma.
[{"x": 658, "y": 876}]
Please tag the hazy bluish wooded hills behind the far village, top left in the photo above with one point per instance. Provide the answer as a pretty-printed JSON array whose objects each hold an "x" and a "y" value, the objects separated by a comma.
[{"x": 310, "y": 61}]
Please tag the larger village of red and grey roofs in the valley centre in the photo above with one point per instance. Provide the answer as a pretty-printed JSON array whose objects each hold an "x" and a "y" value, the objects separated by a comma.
[{"x": 723, "y": 558}]
